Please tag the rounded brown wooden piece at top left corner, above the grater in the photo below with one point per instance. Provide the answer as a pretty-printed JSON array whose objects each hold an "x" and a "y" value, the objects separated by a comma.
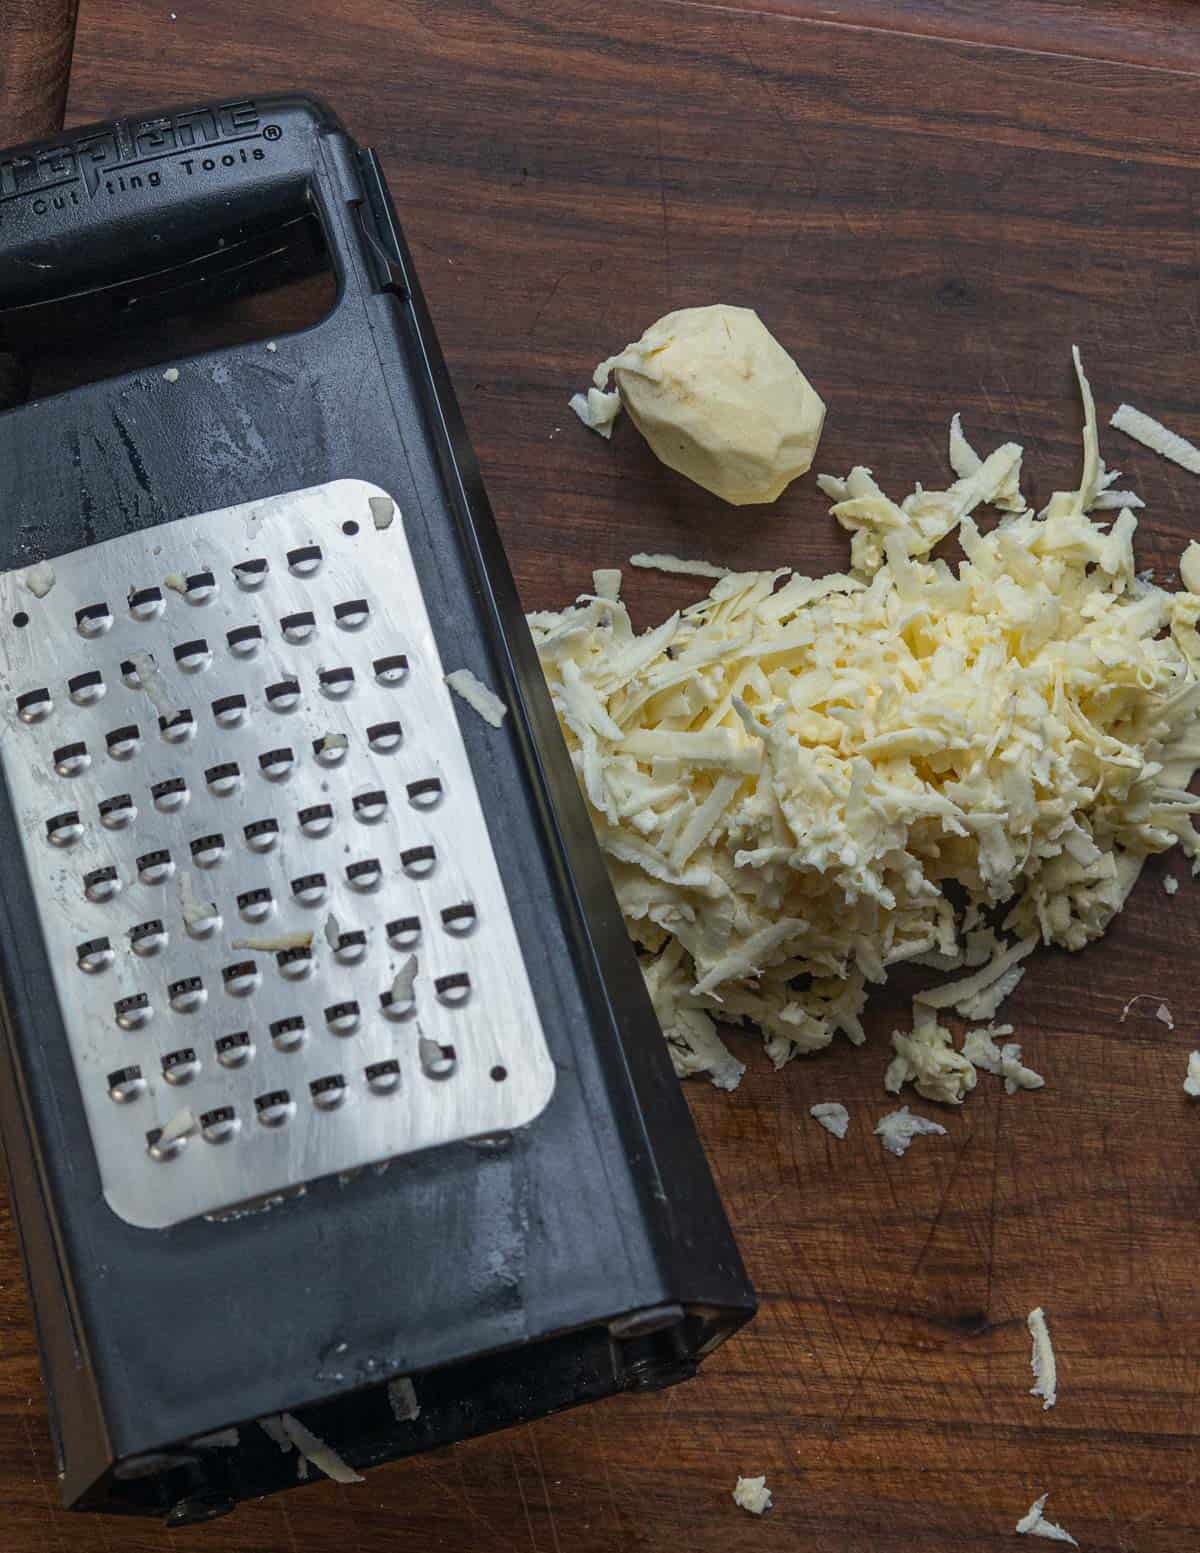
[{"x": 36, "y": 44}]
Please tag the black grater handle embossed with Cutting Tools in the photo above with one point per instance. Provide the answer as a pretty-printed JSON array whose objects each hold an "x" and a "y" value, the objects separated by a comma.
[{"x": 133, "y": 203}]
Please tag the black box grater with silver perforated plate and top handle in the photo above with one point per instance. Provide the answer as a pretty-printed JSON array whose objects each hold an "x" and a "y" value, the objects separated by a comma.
[{"x": 330, "y": 1088}]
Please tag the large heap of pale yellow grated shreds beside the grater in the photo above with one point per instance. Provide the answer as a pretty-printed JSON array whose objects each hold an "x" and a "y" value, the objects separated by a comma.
[{"x": 803, "y": 782}]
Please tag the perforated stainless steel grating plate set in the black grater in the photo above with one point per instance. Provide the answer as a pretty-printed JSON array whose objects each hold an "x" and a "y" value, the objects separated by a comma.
[{"x": 246, "y": 807}]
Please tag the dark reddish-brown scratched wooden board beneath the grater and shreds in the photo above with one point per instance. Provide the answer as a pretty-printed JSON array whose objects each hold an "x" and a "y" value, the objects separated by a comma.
[{"x": 929, "y": 224}]
